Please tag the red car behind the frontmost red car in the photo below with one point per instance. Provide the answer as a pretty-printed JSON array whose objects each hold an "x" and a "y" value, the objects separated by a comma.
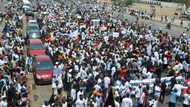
[{"x": 35, "y": 47}]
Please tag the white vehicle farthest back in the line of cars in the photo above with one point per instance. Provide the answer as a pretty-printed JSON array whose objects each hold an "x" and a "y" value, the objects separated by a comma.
[{"x": 27, "y": 7}]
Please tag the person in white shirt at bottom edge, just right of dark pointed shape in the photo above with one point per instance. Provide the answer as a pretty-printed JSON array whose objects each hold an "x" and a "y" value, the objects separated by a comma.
[{"x": 127, "y": 101}]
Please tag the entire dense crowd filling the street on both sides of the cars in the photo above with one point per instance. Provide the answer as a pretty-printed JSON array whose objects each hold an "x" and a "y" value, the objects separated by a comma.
[{"x": 101, "y": 60}]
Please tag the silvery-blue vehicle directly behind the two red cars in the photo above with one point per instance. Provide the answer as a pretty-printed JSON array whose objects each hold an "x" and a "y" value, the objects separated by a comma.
[{"x": 32, "y": 30}]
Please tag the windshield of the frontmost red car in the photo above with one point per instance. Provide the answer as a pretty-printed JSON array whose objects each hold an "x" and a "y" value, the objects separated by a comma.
[{"x": 46, "y": 65}]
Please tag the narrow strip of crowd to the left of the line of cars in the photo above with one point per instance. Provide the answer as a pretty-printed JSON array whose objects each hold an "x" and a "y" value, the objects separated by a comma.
[{"x": 13, "y": 81}]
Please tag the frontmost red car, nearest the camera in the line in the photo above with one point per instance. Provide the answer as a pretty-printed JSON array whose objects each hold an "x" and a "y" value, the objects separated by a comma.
[{"x": 42, "y": 68}]
